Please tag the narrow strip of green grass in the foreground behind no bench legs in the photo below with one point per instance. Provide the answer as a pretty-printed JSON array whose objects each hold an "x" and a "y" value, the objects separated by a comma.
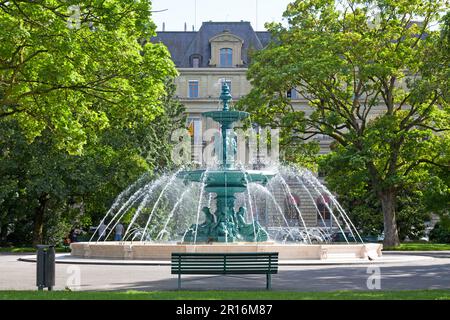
[{"x": 227, "y": 295}]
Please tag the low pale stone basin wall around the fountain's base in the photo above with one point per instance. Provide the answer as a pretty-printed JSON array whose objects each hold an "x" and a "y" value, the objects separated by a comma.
[{"x": 162, "y": 251}]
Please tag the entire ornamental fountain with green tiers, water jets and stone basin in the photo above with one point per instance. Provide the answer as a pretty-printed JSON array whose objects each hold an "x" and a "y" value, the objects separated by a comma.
[{"x": 214, "y": 209}]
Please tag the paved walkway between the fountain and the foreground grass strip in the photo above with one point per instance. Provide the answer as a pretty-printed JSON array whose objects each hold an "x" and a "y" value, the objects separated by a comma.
[{"x": 431, "y": 273}]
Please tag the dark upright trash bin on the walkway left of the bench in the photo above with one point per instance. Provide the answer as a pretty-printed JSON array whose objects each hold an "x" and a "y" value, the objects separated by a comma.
[{"x": 45, "y": 267}]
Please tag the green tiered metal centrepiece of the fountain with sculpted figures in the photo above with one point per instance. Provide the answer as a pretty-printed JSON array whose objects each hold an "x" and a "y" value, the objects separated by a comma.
[{"x": 226, "y": 224}]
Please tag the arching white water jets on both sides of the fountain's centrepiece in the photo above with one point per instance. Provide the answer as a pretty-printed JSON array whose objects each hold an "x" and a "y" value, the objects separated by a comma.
[{"x": 172, "y": 208}]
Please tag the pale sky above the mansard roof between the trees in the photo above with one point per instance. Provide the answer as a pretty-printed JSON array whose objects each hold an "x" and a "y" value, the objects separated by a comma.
[{"x": 180, "y": 12}]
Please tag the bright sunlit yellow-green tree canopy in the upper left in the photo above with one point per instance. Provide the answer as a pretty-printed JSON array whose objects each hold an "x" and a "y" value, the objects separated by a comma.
[{"x": 63, "y": 63}]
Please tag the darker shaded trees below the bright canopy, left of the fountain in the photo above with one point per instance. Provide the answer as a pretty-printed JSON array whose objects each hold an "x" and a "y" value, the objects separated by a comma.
[{"x": 46, "y": 191}]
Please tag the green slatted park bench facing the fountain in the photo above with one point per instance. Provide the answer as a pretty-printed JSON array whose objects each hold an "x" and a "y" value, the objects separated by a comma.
[{"x": 225, "y": 264}]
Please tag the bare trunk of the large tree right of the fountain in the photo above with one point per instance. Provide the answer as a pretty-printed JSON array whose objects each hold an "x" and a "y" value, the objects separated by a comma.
[{"x": 388, "y": 204}]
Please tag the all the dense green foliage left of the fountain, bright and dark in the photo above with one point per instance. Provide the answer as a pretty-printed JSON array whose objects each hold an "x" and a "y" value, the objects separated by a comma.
[{"x": 85, "y": 108}]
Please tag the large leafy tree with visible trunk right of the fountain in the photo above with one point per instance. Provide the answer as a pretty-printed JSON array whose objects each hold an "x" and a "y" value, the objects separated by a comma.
[{"x": 374, "y": 80}]
